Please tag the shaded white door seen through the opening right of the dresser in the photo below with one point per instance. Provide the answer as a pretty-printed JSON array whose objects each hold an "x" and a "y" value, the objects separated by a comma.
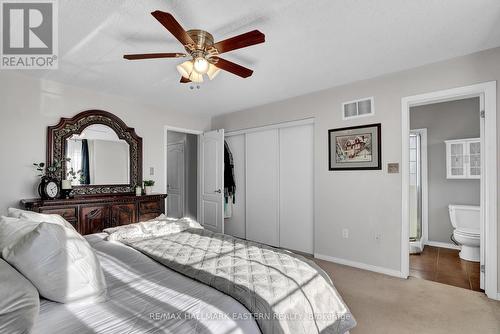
[{"x": 175, "y": 180}]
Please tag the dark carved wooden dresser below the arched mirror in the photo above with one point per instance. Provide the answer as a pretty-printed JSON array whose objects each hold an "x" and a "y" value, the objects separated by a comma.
[{"x": 92, "y": 214}]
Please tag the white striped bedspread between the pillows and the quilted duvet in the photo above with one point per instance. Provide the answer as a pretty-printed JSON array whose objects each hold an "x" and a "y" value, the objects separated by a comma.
[{"x": 146, "y": 297}]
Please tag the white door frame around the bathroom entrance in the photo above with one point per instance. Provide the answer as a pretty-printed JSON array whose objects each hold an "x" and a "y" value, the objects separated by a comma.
[{"x": 489, "y": 172}]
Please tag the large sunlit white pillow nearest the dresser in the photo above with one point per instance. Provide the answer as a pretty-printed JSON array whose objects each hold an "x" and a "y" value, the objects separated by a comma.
[{"x": 60, "y": 263}]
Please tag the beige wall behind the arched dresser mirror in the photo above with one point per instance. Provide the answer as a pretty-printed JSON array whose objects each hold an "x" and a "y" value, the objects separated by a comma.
[{"x": 29, "y": 105}]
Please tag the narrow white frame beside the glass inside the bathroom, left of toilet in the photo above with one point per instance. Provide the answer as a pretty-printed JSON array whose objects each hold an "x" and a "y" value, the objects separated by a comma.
[{"x": 425, "y": 183}]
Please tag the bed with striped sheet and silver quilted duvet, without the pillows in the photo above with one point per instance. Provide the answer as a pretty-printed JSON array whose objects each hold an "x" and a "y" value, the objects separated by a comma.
[{"x": 193, "y": 280}]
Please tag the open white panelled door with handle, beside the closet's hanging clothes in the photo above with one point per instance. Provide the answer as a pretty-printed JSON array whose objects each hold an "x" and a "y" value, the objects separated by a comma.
[{"x": 211, "y": 180}]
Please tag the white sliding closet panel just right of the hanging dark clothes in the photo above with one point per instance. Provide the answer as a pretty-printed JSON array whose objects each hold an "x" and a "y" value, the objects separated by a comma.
[{"x": 262, "y": 204}]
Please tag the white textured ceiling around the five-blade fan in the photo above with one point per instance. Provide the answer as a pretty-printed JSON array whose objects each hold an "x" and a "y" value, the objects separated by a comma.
[{"x": 310, "y": 45}]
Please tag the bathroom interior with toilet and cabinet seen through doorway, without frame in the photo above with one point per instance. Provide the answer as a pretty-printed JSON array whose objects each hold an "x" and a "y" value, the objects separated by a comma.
[{"x": 450, "y": 132}]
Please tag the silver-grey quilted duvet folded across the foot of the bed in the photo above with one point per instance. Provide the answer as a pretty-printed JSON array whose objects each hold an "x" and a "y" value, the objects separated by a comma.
[{"x": 284, "y": 292}]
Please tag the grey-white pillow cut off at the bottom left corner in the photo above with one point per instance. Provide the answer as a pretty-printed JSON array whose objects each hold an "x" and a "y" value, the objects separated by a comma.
[{"x": 19, "y": 301}]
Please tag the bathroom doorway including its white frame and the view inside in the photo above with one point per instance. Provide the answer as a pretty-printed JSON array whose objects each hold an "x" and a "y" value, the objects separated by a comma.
[{"x": 450, "y": 249}]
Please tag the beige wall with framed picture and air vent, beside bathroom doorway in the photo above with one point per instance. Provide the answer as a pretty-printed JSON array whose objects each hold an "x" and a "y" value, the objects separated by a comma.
[{"x": 366, "y": 202}]
